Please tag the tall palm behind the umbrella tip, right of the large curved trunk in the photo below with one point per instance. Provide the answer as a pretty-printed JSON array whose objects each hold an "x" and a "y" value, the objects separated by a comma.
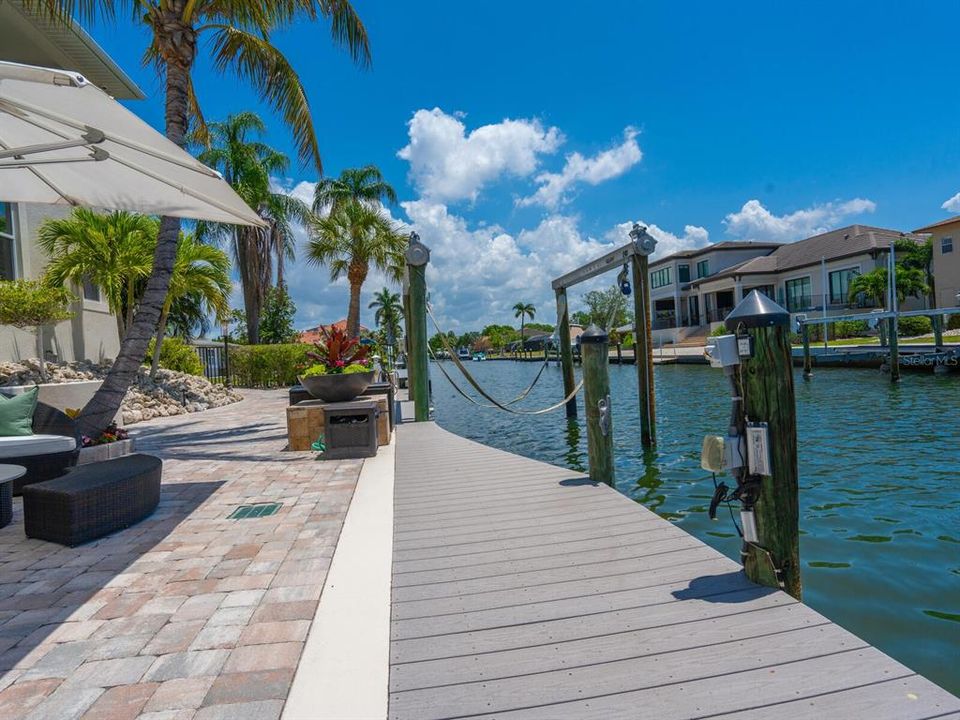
[{"x": 248, "y": 164}]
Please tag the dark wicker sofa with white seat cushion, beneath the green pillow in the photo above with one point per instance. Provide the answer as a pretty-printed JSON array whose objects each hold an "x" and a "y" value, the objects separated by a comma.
[{"x": 48, "y": 453}]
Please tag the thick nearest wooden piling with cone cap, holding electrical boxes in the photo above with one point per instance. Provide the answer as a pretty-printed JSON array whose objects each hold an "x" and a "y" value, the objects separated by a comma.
[{"x": 765, "y": 383}]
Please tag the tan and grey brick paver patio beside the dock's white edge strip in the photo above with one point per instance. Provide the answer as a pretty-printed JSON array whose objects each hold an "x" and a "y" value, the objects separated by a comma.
[{"x": 187, "y": 615}]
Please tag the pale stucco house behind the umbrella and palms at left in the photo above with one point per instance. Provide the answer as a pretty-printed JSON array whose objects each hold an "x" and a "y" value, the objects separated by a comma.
[{"x": 30, "y": 37}]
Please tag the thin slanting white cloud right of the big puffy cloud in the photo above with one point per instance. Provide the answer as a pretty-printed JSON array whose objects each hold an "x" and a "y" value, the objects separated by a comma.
[{"x": 603, "y": 166}]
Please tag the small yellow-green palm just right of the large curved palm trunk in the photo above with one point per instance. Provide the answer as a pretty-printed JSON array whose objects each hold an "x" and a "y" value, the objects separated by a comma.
[{"x": 201, "y": 272}]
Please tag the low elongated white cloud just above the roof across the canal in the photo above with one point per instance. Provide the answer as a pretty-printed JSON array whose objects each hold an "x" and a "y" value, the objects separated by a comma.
[{"x": 755, "y": 222}]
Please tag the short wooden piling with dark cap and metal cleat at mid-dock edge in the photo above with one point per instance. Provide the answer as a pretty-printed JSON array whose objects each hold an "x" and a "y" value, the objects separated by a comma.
[{"x": 595, "y": 348}]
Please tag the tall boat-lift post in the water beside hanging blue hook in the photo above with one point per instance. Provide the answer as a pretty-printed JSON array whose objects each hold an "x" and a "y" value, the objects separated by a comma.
[{"x": 643, "y": 345}]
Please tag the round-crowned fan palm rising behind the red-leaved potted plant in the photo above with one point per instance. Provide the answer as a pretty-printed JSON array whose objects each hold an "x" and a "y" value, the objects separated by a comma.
[{"x": 349, "y": 241}]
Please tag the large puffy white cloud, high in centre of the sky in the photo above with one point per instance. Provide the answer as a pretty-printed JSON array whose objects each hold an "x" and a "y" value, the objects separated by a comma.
[{"x": 447, "y": 163}]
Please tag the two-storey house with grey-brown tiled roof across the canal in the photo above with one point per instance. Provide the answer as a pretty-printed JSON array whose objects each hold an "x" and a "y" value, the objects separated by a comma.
[{"x": 693, "y": 291}]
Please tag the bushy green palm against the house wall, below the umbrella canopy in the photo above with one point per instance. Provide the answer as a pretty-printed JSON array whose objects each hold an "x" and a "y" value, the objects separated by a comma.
[{"x": 112, "y": 251}]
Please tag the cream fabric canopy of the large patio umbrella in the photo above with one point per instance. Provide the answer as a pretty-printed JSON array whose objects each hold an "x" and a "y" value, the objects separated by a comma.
[{"x": 65, "y": 141}]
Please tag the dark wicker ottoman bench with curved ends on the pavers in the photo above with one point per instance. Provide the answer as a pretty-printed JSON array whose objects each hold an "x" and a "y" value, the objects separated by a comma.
[{"x": 92, "y": 500}]
